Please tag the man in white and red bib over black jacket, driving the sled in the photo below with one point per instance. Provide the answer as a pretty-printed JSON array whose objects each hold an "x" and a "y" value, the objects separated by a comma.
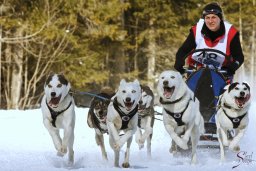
[{"x": 212, "y": 32}]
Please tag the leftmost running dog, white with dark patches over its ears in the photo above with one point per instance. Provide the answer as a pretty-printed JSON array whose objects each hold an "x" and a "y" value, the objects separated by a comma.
[{"x": 58, "y": 113}]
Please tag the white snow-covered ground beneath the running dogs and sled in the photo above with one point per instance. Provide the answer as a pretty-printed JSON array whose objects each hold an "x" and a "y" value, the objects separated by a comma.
[{"x": 26, "y": 145}]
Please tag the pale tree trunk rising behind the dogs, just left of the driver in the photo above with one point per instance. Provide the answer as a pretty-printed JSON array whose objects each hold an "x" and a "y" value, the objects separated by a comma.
[{"x": 151, "y": 55}]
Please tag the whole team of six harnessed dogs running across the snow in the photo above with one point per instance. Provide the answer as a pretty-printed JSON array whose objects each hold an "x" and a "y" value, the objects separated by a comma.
[{"x": 130, "y": 111}]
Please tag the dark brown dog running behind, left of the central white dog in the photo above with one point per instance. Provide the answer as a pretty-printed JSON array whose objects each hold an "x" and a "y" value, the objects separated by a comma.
[{"x": 97, "y": 116}]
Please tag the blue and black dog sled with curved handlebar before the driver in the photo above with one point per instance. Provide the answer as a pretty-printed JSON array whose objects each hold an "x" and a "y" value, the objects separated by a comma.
[{"x": 207, "y": 83}]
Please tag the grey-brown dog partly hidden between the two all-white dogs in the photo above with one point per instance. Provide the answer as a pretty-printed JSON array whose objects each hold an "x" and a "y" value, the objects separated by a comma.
[{"x": 146, "y": 119}]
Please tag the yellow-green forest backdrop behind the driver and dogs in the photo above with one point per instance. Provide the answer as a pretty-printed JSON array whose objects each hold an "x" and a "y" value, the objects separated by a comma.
[{"x": 96, "y": 43}]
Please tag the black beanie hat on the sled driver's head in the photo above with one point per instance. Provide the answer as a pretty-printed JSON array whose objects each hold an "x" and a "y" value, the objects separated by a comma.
[{"x": 213, "y": 8}]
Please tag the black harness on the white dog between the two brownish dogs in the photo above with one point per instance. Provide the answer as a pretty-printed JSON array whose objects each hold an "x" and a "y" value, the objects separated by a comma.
[{"x": 125, "y": 117}]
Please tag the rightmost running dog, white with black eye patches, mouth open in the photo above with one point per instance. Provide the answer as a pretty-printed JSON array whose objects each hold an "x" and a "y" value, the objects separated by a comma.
[{"x": 232, "y": 116}]
